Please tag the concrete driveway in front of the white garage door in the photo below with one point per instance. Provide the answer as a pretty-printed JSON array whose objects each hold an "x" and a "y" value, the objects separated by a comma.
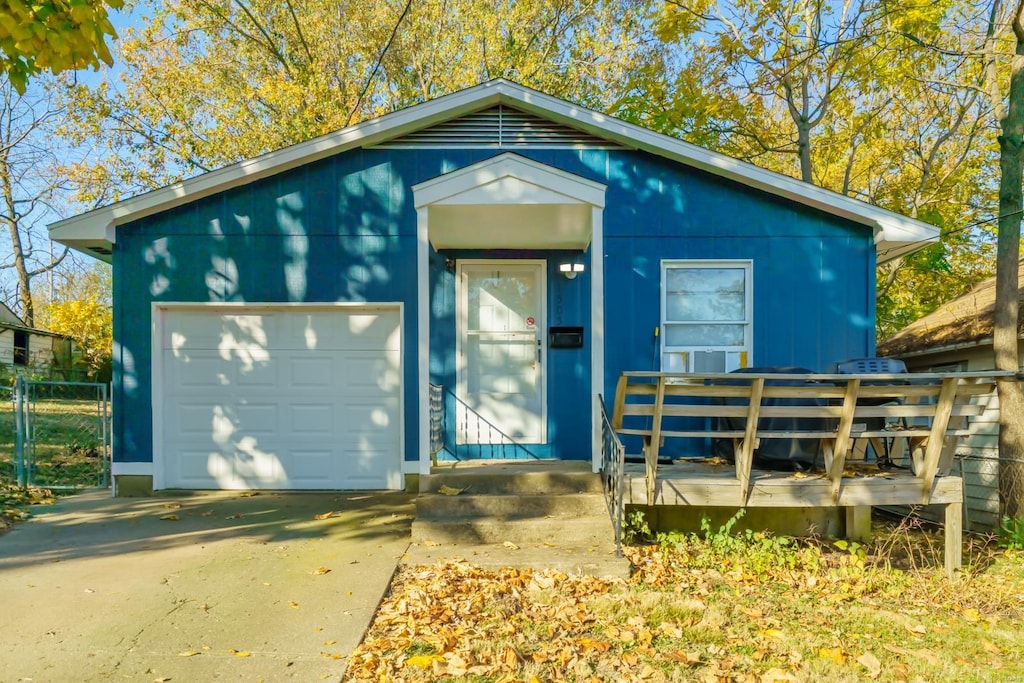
[{"x": 199, "y": 587}]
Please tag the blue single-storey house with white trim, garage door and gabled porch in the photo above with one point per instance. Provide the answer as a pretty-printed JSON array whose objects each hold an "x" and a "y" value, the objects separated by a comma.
[{"x": 279, "y": 323}]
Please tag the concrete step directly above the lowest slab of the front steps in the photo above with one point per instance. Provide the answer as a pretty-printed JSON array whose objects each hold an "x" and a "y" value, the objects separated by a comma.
[{"x": 590, "y": 530}]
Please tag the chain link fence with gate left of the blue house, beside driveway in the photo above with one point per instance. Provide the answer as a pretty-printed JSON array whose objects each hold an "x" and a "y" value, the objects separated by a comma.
[{"x": 56, "y": 435}]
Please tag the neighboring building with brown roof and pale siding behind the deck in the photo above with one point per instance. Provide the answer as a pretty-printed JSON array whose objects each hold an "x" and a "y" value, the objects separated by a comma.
[{"x": 958, "y": 336}]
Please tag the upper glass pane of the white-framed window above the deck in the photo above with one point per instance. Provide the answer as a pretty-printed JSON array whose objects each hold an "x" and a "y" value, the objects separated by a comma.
[{"x": 705, "y": 294}]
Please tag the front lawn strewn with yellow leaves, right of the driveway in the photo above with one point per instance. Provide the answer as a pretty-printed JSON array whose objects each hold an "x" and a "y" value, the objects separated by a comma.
[{"x": 754, "y": 609}]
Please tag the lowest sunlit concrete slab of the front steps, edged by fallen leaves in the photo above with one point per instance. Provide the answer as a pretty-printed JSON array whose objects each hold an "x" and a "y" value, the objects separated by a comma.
[{"x": 594, "y": 561}]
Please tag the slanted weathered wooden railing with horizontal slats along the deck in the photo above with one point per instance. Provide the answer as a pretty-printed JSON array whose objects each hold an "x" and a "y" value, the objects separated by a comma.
[{"x": 925, "y": 412}]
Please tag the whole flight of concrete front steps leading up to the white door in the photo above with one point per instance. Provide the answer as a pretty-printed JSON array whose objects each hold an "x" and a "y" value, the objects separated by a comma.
[{"x": 536, "y": 515}]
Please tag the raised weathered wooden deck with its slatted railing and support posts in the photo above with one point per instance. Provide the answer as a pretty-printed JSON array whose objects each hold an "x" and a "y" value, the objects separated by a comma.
[{"x": 921, "y": 415}]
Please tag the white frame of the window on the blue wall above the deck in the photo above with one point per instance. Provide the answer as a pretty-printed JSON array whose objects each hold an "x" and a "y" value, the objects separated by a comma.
[{"x": 737, "y": 357}]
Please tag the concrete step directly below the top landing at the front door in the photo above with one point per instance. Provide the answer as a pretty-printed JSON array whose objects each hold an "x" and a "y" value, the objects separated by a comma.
[{"x": 503, "y": 506}]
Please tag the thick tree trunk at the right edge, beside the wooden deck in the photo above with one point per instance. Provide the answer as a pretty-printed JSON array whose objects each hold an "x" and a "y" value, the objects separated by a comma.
[{"x": 1005, "y": 338}]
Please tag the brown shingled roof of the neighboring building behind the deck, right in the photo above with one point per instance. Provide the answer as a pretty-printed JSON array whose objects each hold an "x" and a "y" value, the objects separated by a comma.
[{"x": 966, "y": 321}]
